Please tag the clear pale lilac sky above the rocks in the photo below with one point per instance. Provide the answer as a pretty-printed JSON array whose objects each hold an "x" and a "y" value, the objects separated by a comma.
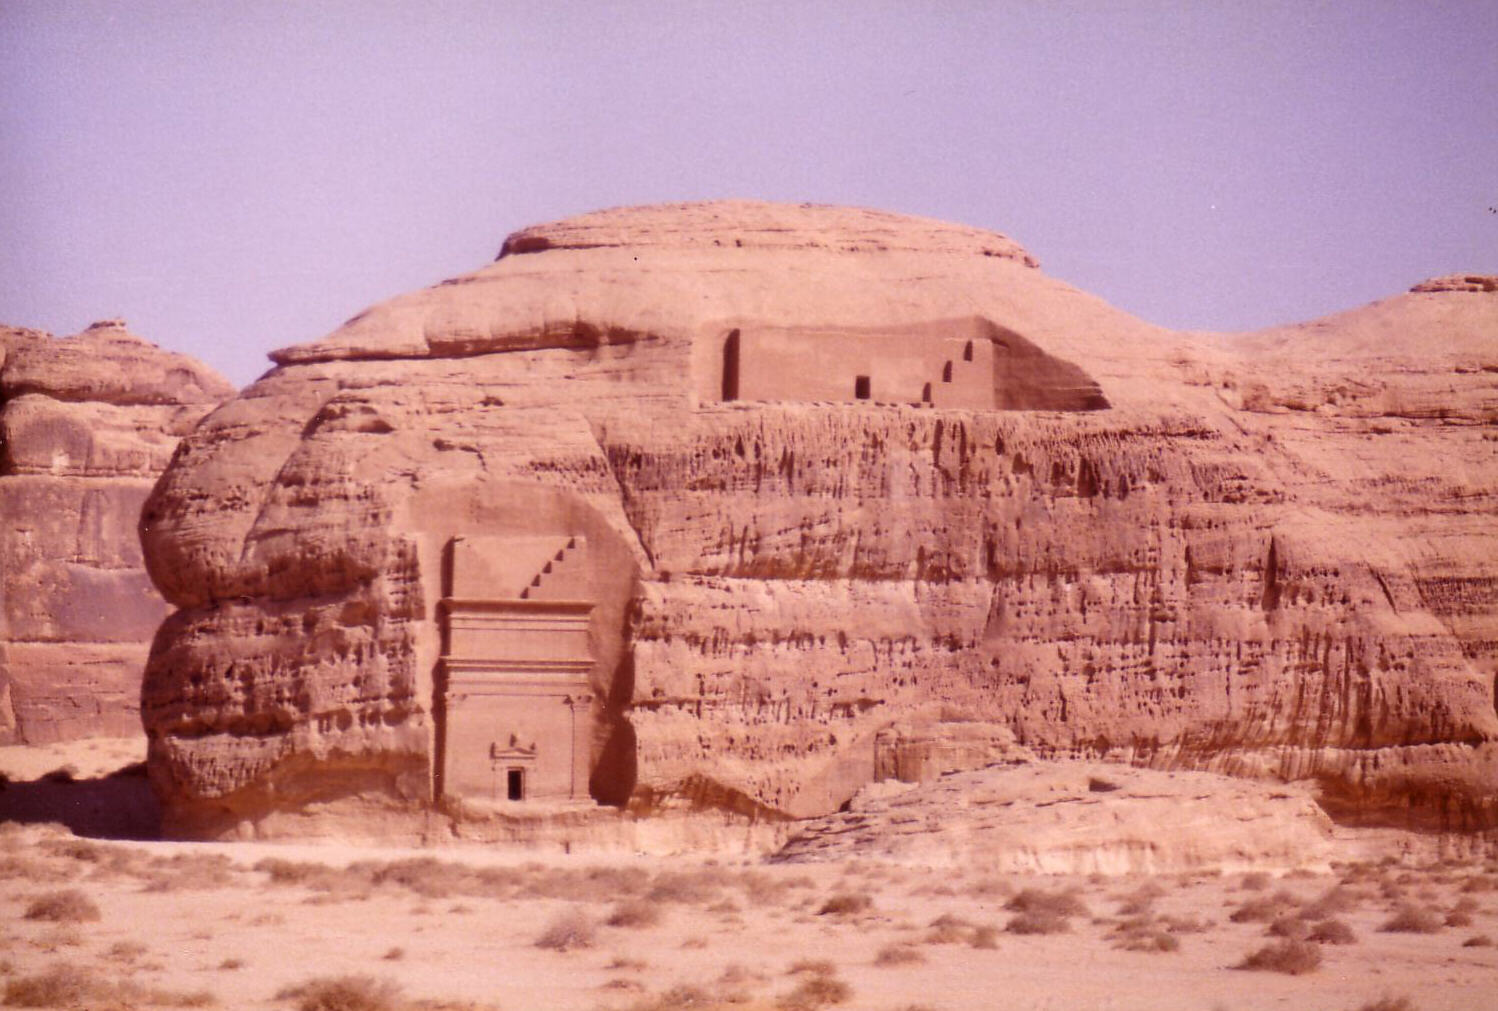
[{"x": 237, "y": 177}]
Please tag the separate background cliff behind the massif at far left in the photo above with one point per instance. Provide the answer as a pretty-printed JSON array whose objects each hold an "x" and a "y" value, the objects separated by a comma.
[{"x": 86, "y": 426}]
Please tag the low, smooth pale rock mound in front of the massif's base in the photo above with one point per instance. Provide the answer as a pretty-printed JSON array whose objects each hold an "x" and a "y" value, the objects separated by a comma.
[{"x": 1078, "y": 819}]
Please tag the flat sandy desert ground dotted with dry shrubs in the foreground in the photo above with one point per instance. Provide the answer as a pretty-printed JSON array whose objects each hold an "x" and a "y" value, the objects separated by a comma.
[{"x": 131, "y": 925}]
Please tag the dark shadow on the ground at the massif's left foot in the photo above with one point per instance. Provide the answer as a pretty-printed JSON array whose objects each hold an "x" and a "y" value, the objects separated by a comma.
[{"x": 116, "y": 807}]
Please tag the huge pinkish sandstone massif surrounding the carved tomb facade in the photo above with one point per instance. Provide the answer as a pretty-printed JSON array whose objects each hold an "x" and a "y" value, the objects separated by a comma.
[{"x": 864, "y": 497}]
